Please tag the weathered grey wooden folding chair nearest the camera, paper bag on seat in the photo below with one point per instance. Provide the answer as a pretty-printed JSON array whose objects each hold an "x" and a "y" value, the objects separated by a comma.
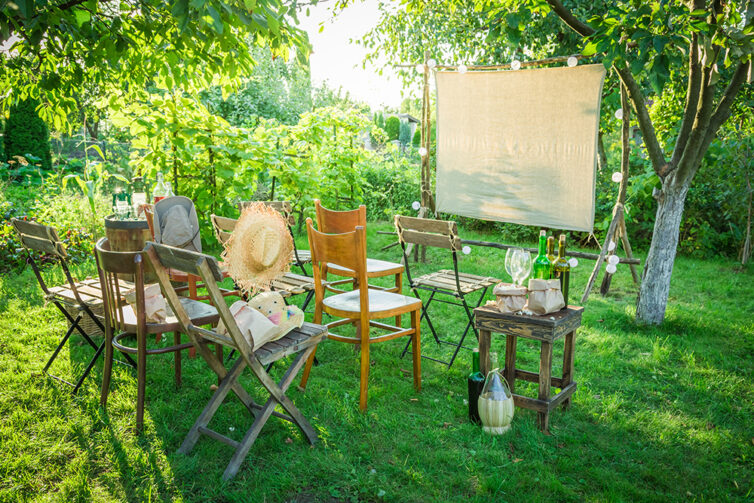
[{"x": 302, "y": 341}]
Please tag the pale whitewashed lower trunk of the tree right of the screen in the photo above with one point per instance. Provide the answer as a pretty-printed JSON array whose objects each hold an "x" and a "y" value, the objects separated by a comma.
[{"x": 655, "y": 283}]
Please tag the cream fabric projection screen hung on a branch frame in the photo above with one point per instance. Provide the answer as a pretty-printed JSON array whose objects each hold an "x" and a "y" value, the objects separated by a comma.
[{"x": 519, "y": 146}]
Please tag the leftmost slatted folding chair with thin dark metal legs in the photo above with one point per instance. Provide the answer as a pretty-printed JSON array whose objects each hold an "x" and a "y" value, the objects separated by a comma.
[{"x": 82, "y": 298}]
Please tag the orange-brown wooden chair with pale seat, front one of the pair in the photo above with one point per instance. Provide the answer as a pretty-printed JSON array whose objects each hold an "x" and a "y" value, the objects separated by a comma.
[{"x": 361, "y": 306}]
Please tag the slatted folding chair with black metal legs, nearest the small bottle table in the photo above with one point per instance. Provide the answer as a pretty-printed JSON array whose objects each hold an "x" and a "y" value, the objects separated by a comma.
[{"x": 441, "y": 234}]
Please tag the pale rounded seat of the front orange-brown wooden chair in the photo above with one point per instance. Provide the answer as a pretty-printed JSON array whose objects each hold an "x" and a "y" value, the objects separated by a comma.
[{"x": 381, "y": 304}]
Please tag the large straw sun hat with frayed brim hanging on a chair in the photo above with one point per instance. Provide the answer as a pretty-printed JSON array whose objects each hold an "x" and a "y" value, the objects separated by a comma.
[{"x": 259, "y": 249}]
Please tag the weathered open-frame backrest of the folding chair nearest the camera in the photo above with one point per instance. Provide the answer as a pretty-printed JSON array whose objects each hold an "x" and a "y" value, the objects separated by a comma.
[{"x": 162, "y": 258}]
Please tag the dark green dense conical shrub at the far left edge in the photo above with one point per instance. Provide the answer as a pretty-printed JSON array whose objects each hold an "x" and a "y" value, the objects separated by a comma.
[{"x": 26, "y": 133}]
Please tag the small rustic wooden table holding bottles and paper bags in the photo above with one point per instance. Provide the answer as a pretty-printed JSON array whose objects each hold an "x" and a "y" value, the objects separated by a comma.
[{"x": 545, "y": 329}]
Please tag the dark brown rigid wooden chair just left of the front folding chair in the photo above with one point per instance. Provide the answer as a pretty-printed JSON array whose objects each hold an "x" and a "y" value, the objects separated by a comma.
[{"x": 124, "y": 321}]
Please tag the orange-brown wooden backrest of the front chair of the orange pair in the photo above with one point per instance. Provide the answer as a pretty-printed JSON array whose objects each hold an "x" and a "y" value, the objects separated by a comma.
[{"x": 346, "y": 249}]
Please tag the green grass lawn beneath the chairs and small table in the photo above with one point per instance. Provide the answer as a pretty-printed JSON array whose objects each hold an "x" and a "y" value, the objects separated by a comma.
[{"x": 659, "y": 414}]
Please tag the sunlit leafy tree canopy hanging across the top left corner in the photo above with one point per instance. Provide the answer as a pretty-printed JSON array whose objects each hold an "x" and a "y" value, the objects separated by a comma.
[{"x": 58, "y": 47}]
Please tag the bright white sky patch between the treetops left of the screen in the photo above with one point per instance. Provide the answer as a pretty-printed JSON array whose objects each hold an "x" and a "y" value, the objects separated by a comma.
[{"x": 339, "y": 63}]
